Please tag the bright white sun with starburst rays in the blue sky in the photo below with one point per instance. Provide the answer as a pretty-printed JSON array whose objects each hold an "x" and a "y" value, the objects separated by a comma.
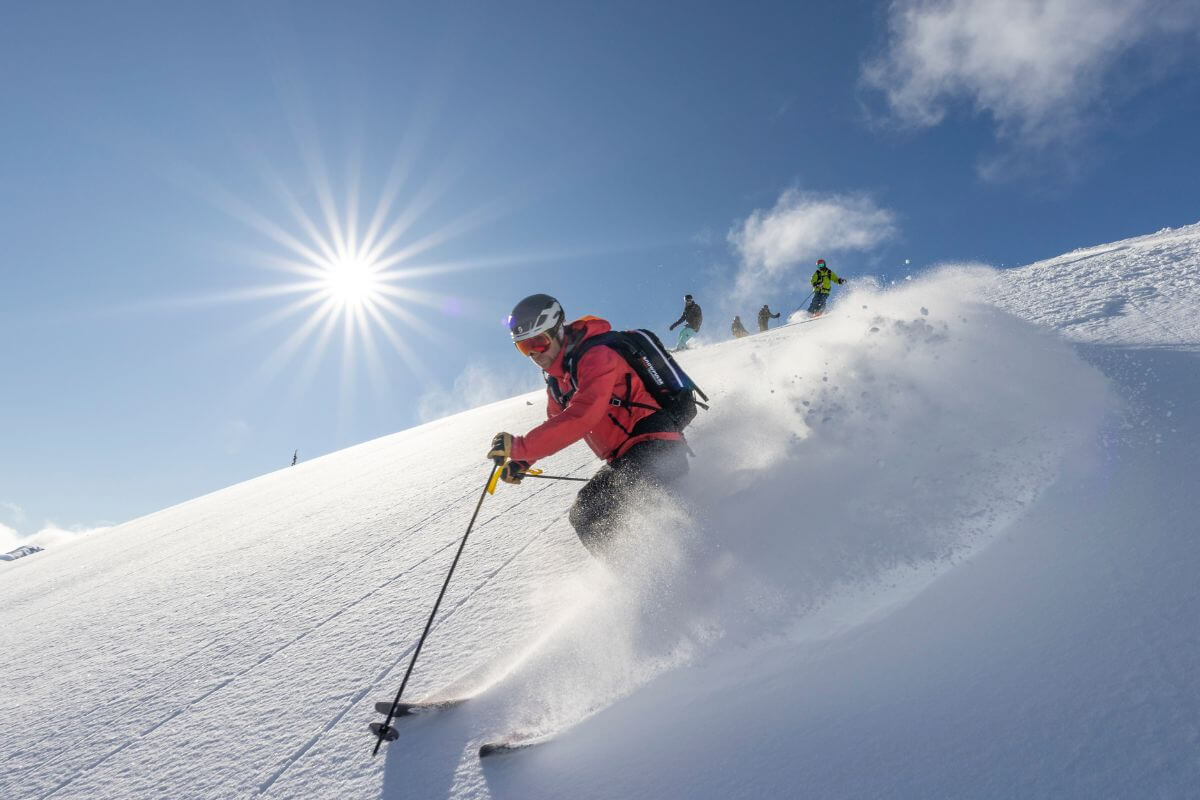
[{"x": 359, "y": 273}]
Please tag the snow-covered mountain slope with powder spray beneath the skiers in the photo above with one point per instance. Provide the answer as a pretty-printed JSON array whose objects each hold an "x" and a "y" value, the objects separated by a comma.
[{"x": 941, "y": 543}]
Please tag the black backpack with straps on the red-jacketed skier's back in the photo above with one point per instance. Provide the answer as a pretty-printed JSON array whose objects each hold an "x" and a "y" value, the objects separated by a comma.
[{"x": 663, "y": 377}]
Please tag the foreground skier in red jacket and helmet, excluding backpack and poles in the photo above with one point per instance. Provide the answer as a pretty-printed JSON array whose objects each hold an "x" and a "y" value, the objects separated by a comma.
[{"x": 599, "y": 412}]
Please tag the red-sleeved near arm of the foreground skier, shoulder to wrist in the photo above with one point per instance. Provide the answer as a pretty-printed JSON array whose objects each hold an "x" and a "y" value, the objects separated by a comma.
[{"x": 598, "y": 375}]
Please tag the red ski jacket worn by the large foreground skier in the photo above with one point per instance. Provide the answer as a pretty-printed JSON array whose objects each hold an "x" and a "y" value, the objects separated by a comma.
[{"x": 590, "y": 414}]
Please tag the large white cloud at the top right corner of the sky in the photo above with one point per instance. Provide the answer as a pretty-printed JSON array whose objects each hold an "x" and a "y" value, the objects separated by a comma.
[{"x": 1037, "y": 67}]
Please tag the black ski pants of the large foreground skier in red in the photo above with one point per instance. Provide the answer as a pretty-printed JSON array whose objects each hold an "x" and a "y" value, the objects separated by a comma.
[{"x": 599, "y": 506}]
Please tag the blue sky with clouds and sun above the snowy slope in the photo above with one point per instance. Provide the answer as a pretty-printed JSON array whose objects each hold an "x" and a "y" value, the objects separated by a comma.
[{"x": 167, "y": 170}]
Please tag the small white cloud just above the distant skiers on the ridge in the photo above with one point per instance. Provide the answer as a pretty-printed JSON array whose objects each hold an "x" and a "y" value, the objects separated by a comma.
[{"x": 803, "y": 227}]
